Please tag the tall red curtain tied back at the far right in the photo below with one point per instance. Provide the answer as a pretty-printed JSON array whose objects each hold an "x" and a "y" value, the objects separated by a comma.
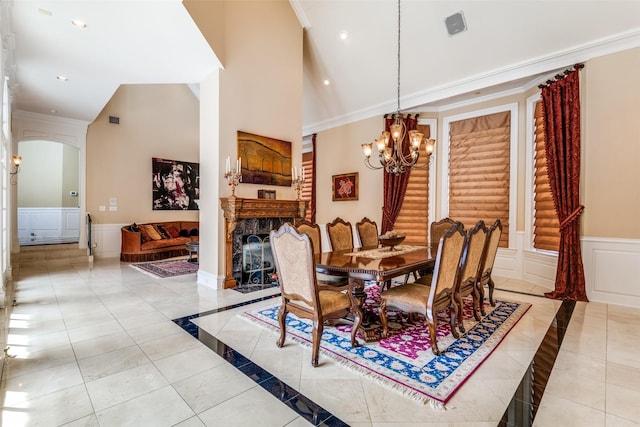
[{"x": 561, "y": 110}]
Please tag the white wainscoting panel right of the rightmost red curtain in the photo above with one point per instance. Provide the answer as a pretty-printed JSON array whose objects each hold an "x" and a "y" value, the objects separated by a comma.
[{"x": 612, "y": 270}]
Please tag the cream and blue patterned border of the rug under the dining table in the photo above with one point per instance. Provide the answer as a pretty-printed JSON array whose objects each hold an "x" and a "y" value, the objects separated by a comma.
[{"x": 400, "y": 382}]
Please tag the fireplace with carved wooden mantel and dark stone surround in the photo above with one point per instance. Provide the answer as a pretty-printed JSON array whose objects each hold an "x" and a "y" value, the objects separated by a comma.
[{"x": 254, "y": 217}]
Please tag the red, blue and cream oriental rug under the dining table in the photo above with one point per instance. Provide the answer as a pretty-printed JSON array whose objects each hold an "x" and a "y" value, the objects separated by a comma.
[{"x": 404, "y": 361}]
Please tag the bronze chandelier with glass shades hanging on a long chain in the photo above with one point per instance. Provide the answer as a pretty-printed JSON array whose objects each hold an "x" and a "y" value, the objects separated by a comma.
[{"x": 393, "y": 156}]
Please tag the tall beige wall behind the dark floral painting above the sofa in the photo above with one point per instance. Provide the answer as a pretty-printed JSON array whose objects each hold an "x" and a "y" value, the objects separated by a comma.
[{"x": 155, "y": 121}]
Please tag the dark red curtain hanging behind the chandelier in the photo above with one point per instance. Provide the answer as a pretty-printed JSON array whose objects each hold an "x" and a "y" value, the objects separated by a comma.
[{"x": 395, "y": 186}]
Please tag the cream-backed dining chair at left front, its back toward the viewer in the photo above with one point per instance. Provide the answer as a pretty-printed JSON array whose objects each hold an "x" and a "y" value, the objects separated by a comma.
[{"x": 302, "y": 295}]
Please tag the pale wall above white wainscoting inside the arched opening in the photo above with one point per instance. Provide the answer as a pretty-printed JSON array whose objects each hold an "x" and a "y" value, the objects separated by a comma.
[{"x": 48, "y": 173}]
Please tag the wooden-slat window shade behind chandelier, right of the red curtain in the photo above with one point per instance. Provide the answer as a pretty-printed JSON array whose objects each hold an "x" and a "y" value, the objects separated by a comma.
[{"x": 413, "y": 219}]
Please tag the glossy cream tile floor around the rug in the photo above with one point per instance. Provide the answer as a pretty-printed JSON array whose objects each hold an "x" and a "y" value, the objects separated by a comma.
[{"x": 96, "y": 345}]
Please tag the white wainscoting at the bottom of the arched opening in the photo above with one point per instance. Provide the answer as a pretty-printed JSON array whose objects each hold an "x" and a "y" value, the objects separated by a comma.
[{"x": 43, "y": 226}]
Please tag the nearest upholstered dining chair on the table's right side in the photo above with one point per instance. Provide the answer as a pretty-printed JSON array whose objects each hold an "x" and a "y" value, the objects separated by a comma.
[{"x": 435, "y": 292}]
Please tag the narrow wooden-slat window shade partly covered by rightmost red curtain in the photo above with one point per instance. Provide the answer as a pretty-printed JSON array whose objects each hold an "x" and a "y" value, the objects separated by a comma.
[{"x": 546, "y": 227}]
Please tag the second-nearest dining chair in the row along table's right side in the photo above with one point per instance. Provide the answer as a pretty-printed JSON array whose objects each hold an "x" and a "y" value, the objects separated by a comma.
[{"x": 469, "y": 267}]
